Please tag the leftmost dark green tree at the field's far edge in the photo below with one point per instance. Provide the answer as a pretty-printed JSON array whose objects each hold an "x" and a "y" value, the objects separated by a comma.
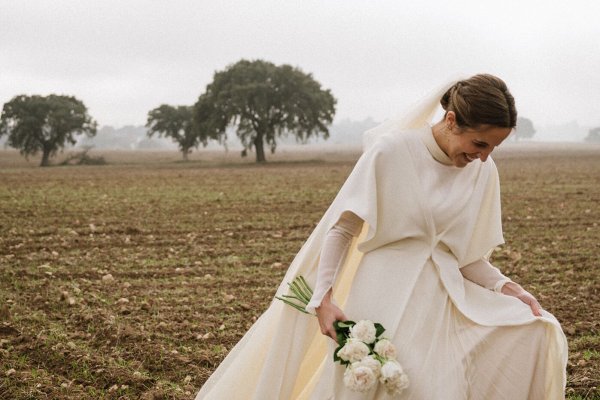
[{"x": 44, "y": 123}]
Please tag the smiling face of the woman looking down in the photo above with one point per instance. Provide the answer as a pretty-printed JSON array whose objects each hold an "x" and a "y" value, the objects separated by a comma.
[{"x": 467, "y": 145}]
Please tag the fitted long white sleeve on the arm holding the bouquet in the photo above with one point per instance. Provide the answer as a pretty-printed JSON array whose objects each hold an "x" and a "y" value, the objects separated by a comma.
[{"x": 333, "y": 253}]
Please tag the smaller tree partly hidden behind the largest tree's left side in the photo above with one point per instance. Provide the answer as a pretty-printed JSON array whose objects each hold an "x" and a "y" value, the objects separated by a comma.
[{"x": 176, "y": 123}]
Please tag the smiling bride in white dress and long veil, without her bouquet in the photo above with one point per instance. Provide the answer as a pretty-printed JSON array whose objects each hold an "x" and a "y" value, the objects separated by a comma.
[{"x": 406, "y": 243}]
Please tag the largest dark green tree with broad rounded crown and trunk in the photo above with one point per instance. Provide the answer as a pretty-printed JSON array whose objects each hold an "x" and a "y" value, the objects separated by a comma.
[{"x": 264, "y": 101}]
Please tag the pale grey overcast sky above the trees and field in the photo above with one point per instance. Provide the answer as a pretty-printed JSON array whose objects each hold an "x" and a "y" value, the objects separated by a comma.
[{"x": 123, "y": 58}]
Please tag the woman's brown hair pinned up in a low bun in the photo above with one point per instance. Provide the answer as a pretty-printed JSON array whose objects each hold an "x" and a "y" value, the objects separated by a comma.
[{"x": 480, "y": 100}]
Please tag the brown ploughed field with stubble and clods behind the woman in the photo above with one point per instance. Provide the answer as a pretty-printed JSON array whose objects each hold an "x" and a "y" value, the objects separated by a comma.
[{"x": 134, "y": 279}]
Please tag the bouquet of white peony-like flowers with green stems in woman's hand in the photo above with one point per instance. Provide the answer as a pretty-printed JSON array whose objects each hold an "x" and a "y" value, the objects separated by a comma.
[{"x": 368, "y": 356}]
